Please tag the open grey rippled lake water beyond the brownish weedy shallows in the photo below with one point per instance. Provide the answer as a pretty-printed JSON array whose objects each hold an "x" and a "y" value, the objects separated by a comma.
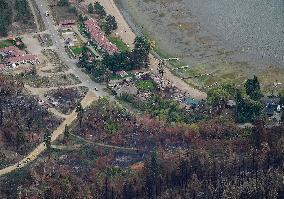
[{"x": 253, "y": 27}]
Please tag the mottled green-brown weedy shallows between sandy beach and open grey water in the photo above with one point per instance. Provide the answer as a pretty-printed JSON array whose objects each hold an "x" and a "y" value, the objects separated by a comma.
[{"x": 202, "y": 51}]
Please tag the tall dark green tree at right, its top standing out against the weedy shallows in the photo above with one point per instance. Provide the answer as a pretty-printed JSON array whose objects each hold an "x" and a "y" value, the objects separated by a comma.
[{"x": 252, "y": 87}]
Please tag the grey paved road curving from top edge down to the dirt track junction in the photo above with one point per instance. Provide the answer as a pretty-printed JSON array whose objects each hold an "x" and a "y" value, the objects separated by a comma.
[{"x": 59, "y": 48}]
